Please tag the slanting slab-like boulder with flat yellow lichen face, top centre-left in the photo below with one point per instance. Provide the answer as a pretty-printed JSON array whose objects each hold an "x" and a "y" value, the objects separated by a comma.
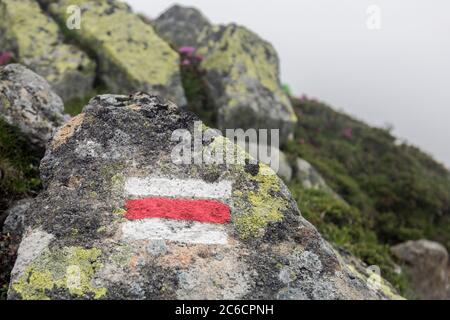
[{"x": 131, "y": 56}]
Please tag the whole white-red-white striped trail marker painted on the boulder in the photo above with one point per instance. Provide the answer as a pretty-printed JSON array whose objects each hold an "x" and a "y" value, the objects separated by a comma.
[{"x": 180, "y": 210}]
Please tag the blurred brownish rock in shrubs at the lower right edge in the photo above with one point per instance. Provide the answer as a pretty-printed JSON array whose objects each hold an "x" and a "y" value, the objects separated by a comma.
[{"x": 426, "y": 264}]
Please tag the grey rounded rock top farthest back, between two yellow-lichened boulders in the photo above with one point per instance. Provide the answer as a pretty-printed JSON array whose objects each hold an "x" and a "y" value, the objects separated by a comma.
[{"x": 181, "y": 26}]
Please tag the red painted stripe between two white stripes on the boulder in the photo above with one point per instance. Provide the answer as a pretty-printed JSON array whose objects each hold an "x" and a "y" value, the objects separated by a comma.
[{"x": 210, "y": 211}]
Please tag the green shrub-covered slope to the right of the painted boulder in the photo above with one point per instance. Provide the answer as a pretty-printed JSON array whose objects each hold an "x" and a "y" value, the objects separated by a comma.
[{"x": 395, "y": 191}]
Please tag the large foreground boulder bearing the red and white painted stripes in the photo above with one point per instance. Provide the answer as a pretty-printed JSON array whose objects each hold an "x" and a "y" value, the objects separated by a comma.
[{"x": 125, "y": 214}]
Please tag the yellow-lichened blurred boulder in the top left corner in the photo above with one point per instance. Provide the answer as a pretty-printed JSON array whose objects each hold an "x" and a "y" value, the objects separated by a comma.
[{"x": 36, "y": 42}]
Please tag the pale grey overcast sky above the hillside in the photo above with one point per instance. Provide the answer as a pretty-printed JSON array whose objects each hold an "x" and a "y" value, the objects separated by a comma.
[{"x": 398, "y": 74}]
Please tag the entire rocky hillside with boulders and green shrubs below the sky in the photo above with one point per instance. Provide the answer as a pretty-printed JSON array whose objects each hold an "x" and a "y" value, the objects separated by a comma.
[{"x": 348, "y": 221}]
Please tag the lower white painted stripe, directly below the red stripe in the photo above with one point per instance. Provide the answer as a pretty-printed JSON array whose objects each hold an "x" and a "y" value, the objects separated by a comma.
[{"x": 174, "y": 230}]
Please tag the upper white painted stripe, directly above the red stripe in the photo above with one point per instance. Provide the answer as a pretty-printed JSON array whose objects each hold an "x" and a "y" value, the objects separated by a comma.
[{"x": 189, "y": 188}]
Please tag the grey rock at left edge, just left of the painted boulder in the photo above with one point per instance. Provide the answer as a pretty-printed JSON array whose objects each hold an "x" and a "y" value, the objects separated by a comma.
[{"x": 28, "y": 102}]
